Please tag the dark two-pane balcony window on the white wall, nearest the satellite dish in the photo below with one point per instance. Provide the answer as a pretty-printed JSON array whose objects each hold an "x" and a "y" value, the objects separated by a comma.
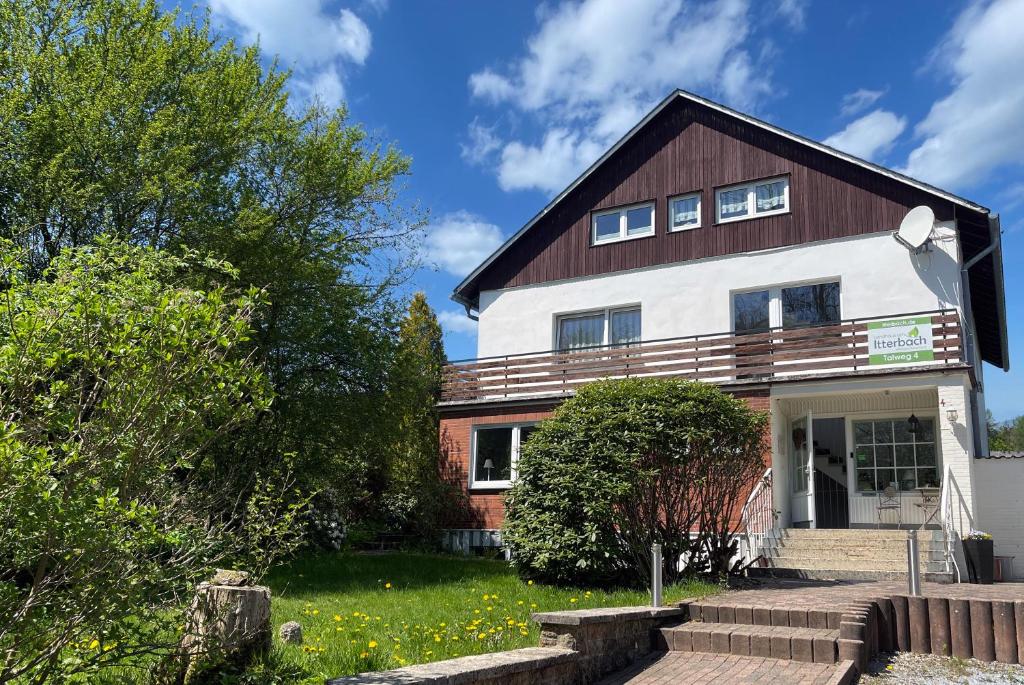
[{"x": 787, "y": 308}]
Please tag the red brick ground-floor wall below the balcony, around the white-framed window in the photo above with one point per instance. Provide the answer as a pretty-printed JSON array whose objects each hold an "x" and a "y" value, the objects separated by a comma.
[{"x": 486, "y": 509}]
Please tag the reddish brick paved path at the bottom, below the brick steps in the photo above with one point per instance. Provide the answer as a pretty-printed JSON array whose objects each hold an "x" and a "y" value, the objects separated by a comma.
[{"x": 685, "y": 669}]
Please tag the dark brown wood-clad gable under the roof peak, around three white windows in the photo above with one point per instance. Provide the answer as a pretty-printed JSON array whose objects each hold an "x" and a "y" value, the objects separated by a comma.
[{"x": 688, "y": 148}]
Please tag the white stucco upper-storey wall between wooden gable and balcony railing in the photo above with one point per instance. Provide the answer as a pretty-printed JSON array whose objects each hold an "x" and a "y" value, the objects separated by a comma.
[{"x": 878, "y": 277}]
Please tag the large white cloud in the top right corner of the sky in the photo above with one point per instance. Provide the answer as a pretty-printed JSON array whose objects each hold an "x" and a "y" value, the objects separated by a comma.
[{"x": 975, "y": 130}]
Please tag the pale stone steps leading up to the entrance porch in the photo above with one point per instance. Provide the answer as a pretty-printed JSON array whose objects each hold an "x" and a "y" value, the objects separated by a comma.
[{"x": 850, "y": 554}]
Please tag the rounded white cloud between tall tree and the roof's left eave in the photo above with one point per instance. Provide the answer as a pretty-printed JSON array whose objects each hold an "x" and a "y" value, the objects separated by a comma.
[{"x": 460, "y": 241}]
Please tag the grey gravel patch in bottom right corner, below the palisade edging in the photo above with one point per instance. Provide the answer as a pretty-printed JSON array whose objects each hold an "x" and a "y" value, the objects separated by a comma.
[{"x": 929, "y": 670}]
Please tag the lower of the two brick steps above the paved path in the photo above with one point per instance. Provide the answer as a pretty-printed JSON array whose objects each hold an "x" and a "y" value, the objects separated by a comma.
[{"x": 799, "y": 645}]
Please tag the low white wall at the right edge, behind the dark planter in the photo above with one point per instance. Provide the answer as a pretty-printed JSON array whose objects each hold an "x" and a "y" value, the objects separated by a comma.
[{"x": 1002, "y": 482}]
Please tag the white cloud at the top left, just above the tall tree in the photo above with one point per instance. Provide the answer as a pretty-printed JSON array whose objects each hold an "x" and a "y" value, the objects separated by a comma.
[{"x": 307, "y": 36}]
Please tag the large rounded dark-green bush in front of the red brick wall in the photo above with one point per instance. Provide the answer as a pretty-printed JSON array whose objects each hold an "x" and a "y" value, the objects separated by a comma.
[{"x": 628, "y": 463}]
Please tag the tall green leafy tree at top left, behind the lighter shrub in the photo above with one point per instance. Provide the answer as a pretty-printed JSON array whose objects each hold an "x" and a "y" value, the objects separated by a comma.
[{"x": 124, "y": 120}]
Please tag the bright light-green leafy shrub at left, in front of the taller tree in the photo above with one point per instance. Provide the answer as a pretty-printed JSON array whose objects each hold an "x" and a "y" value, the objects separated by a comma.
[{"x": 119, "y": 374}]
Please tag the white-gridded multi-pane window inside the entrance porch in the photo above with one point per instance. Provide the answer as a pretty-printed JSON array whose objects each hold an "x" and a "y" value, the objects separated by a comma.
[{"x": 886, "y": 452}]
